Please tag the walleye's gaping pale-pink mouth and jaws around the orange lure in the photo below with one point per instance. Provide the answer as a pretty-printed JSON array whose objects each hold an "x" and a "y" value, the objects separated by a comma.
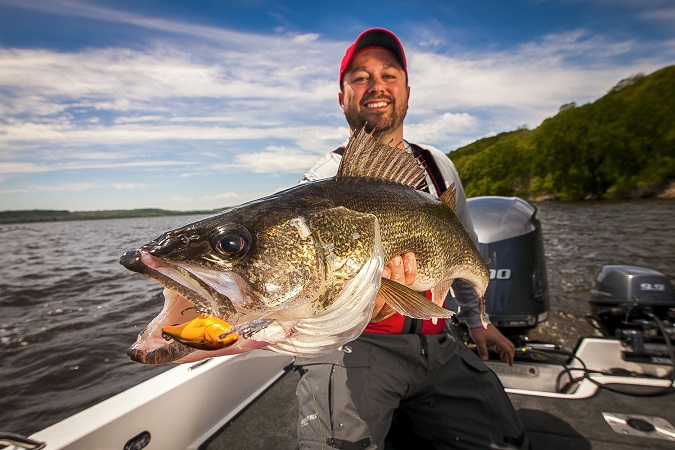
[{"x": 188, "y": 294}]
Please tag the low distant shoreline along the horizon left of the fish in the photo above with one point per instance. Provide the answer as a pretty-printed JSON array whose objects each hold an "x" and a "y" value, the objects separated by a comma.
[{"x": 40, "y": 215}]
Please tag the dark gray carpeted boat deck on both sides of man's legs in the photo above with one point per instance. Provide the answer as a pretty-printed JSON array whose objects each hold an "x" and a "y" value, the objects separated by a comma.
[{"x": 552, "y": 423}]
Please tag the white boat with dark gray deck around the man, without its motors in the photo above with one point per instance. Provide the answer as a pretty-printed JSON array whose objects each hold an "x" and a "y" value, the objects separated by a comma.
[{"x": 188, "y": 406}]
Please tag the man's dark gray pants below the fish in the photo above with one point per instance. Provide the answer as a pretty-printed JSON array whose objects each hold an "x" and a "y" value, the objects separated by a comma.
[{"x": 441, "y": 391}]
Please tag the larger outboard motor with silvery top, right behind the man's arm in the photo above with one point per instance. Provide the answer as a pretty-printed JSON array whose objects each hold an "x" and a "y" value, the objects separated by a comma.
[{"x": 510, "y": 236}]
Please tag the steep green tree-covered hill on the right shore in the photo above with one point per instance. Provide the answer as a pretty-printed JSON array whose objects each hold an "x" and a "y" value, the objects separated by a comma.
[{"x": 620, "y": 146}]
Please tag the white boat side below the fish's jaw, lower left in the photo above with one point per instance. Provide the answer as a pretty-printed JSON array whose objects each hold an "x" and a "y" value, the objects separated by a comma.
[{"x": 178, "y": 409}]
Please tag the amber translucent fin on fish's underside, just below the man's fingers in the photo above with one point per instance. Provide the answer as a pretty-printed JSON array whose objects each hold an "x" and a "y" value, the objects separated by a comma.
[{"x": 410, "y": 303}]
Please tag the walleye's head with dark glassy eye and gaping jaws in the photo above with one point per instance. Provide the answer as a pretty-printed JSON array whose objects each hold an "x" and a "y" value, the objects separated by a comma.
[{"x": 265, "y": 268}]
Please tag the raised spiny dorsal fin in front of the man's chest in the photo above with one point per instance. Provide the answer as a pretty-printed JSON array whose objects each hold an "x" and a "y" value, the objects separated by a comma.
[{"x": 366, "y": 157}]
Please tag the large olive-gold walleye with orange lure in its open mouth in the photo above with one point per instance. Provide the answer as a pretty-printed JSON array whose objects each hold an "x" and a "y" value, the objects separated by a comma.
[{"x": 297, "y": 272}]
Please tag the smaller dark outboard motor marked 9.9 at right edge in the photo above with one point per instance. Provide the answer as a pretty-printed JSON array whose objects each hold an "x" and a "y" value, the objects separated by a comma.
[{"x": 636, "y": 305}]
